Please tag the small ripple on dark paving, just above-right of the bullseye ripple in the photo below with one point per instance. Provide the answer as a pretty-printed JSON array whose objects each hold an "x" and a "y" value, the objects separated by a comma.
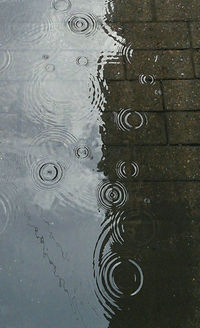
[{"x": 124, "y": 169}]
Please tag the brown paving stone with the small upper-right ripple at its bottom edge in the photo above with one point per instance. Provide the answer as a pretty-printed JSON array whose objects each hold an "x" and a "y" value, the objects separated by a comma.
[{"x": 172, "y": 64}]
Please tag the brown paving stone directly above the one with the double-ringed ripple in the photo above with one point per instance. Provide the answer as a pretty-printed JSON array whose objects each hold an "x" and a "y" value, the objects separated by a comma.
[{"x": 134, "y": 95}]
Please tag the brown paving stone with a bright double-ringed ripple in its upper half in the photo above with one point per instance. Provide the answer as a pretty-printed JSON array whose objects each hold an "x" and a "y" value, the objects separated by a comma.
[{"x": 151, "y": 133}]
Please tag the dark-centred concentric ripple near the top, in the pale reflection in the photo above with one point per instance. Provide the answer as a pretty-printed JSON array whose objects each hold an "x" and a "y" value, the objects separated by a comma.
[{"x": 82, "y": 24}]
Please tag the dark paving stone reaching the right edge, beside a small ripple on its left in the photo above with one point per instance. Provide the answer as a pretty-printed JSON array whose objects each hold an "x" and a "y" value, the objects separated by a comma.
[{"x": 167, "y": 163}]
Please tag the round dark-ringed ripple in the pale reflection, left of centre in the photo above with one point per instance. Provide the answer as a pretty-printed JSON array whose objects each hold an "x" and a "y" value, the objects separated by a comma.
[{"x": 46, "y": 173}]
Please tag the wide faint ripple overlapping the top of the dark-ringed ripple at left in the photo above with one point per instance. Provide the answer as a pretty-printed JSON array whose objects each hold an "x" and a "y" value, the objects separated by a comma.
[{"x": 51, "y": 144}]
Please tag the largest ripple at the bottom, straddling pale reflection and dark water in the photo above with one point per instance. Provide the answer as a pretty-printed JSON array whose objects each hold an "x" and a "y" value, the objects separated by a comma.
[{"x": 116, "y": 278}]
